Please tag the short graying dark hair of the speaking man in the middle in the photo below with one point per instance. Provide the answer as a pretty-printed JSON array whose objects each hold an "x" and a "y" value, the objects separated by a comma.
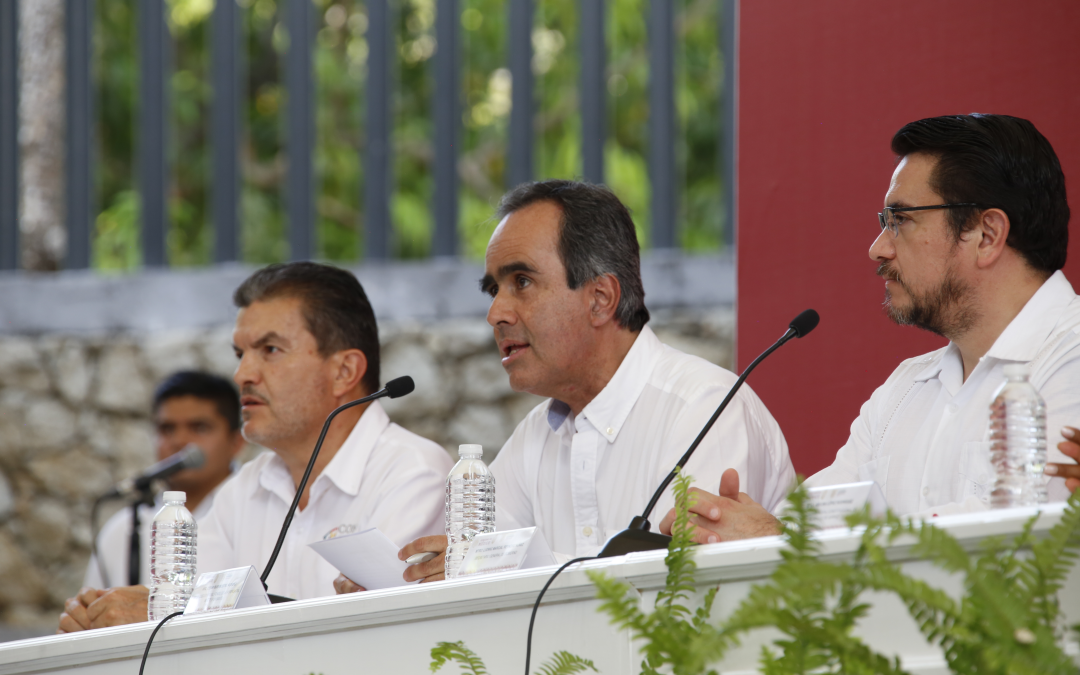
[{"x": 597, "y": 238}]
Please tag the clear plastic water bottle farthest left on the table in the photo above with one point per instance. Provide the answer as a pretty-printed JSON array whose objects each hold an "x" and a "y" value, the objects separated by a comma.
[{"x": 172, "y": 558}]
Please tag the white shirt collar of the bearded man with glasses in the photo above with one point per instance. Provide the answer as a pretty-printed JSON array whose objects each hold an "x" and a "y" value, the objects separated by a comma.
[{"x": 1025, "y": 334}]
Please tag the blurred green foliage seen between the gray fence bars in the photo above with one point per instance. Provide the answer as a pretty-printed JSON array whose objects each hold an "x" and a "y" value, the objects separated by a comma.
[{"x": 341, "y": 71}]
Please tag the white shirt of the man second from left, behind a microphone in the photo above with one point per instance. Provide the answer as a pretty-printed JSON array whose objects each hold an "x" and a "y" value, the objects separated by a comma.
[{"x": 383, "y": 477}]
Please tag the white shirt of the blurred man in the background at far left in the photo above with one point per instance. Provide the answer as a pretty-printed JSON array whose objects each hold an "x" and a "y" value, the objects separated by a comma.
[{"x": 115, "y": 539}]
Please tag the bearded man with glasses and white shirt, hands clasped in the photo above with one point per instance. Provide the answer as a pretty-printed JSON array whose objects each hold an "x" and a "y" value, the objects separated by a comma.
[{"x": 974, "y": 238}]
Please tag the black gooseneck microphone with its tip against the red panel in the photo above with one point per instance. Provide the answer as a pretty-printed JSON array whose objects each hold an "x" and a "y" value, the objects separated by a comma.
[{"x": 638, "y": 536}]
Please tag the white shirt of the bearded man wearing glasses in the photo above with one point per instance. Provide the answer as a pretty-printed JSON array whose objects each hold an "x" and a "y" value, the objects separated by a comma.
[{"x": 924, "y": 436}]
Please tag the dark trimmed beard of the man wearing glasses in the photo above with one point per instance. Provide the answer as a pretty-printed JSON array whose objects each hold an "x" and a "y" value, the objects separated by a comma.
[{"x": 942, "y": 310}]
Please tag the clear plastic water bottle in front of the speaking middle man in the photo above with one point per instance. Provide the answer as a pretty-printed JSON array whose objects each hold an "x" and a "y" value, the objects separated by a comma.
[{"x": 470, "y": 505}]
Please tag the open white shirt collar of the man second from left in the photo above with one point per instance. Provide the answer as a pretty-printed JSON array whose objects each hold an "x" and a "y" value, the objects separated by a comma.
[{"x": 347, "y": 467}]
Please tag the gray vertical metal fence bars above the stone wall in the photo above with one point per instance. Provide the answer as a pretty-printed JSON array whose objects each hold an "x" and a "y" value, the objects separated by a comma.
[{"x": 300, "y": 18}]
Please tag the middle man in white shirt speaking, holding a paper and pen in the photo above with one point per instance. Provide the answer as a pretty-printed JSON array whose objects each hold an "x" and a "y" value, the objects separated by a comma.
[{"x": 569, "y": 313}]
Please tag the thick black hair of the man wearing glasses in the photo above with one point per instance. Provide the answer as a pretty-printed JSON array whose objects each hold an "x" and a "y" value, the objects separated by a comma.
[{"x": 1003, "y": 163}]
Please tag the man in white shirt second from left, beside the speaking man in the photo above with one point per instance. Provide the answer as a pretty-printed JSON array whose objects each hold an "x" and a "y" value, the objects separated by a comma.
[{"x": 307, "y": 343}]
